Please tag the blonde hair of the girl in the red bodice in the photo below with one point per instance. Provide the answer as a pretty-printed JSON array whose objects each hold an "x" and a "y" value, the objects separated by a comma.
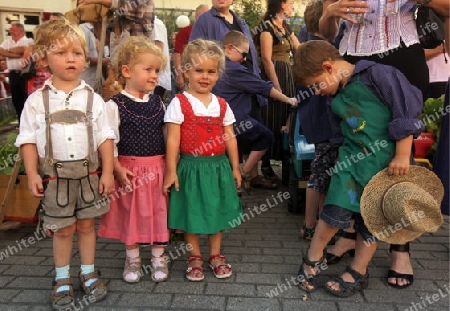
[{"x": 199, "y": 50}]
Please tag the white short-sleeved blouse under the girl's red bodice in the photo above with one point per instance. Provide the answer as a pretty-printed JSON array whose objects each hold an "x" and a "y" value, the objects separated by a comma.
[{"x": 174, "y": 114}]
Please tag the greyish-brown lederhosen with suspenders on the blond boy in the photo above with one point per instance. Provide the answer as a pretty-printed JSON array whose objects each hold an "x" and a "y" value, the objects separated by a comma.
[{"x": 71, "y": 187}]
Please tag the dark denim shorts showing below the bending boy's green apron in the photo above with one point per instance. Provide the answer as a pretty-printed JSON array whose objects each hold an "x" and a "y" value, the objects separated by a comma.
[{"x": 341, "y": 218}]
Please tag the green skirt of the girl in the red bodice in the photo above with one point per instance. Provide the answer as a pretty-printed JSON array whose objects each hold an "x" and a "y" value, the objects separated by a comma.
[{"x": 207, "y": 202}]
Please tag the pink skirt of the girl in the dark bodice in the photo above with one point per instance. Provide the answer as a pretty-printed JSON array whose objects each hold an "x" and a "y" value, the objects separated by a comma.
[{"x": 139, "y": 215}]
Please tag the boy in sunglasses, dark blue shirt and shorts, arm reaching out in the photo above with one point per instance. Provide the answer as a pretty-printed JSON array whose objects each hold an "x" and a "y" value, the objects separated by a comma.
[{"x": 239, "y": 87}]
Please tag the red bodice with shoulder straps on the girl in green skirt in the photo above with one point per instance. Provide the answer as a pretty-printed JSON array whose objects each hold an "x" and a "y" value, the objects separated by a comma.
[{"x": 201, "y": 135}]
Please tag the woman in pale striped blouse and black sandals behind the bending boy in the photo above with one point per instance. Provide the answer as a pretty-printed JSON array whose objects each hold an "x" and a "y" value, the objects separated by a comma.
[{"x": 391, "y": 38}]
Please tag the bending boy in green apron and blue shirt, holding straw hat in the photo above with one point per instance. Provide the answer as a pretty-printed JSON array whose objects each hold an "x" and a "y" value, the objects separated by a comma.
[{"x": 375, "y": 110}]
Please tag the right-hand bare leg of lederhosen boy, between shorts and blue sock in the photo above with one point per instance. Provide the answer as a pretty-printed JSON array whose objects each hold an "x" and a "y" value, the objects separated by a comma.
[{"x": 86, "y": 240}]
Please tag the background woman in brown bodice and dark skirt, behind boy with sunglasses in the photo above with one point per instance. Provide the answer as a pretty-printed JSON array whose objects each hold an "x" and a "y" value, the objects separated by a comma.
[{"x": 275, "y": 41}]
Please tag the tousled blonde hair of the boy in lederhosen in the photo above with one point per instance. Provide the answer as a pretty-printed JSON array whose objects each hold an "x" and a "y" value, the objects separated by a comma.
[{"x": 54, "y": 34}]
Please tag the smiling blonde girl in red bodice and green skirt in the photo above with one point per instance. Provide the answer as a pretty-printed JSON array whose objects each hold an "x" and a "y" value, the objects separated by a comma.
[{"x": 200, "y": 127}]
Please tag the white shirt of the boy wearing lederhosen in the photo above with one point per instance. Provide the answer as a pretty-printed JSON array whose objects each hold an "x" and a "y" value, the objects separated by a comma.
[{"x": 70, "y": 141}]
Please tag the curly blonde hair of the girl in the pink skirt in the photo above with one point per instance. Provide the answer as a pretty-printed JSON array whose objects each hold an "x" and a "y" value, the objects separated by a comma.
[{"x": 129, "y": 52}]
